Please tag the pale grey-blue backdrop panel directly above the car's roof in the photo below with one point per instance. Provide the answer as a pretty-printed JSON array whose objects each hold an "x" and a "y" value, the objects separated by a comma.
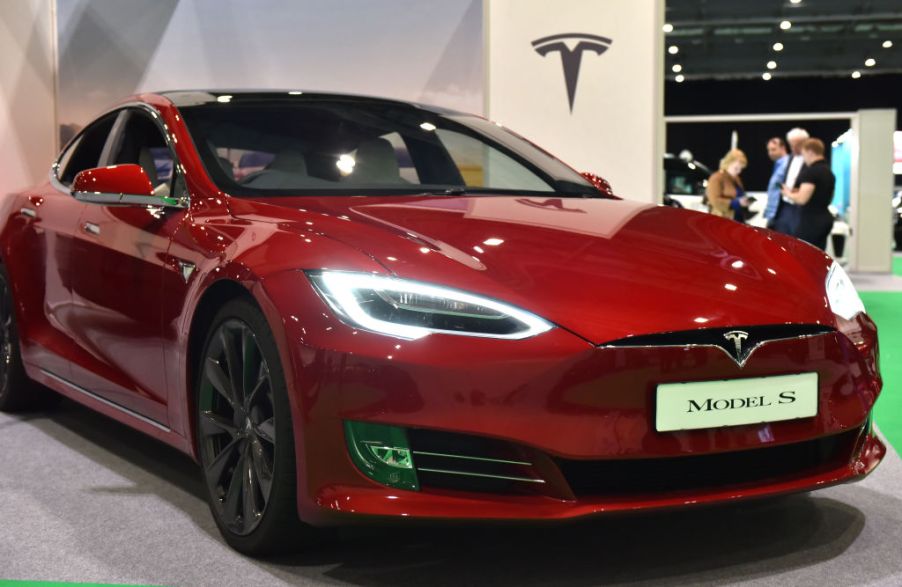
[{"x": 421, "y": 51}]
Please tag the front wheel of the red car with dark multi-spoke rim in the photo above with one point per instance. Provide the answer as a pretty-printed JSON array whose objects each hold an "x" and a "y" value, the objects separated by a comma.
[{"x": 244, "y": 426}]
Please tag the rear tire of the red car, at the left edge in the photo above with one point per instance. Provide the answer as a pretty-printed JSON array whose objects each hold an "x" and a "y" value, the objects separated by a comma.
[{"x": 18, "y": 393}]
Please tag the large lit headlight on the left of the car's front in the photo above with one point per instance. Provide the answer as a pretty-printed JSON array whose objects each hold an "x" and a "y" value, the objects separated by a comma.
[{"x": 410, "y": 309}]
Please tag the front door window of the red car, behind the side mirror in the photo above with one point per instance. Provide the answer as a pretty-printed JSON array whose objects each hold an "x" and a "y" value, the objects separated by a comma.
[{"x": 141, "y": 142}]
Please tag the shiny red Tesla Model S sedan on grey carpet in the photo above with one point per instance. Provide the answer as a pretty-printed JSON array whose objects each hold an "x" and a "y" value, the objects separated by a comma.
[{"x": 412, "y": 312}]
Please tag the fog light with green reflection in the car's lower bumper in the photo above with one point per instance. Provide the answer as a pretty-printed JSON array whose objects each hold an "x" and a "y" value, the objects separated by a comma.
[{"x": 382, "y": 453}]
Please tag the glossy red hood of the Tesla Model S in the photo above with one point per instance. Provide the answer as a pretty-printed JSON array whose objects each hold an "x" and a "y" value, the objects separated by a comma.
[{"x": 603, "y": 269}]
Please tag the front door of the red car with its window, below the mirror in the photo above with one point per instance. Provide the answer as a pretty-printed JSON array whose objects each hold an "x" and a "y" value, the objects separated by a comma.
[{"x": 120, "y": 262}]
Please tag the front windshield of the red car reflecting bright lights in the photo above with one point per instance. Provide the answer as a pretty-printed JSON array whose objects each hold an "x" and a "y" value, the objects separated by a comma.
[{"x": 356, "y": 146}]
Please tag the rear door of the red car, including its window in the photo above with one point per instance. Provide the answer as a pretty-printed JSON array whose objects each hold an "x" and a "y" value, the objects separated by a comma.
[{"x": 40, "y": 259}]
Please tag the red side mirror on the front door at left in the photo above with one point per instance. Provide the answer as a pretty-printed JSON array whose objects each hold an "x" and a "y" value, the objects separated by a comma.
[{"x": 125, "y": 184}]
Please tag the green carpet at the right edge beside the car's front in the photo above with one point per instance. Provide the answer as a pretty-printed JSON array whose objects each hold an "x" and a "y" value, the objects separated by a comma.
[{"x": 886, "y": 310}]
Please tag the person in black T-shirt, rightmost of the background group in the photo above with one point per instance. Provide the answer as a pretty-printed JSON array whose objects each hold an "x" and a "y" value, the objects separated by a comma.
[{"x": 816, "y": 183}]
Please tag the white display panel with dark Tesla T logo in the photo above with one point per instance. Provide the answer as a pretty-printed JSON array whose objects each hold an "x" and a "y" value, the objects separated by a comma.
[{"x": 583, "y": 79}]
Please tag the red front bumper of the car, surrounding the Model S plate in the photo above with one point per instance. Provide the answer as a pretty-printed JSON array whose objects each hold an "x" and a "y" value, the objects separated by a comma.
[{"x": 579, "y": 414}]
